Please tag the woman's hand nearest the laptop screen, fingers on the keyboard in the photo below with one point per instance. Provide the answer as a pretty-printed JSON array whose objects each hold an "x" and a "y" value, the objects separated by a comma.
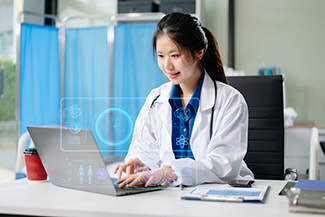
[{"x": 134, "y": 165}]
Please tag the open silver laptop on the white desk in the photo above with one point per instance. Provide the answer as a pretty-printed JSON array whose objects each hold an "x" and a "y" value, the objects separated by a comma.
[{"x": 82, "y": 169}]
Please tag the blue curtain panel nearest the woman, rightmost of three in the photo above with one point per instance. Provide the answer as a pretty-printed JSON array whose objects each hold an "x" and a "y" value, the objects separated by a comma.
[{"x": 135, "y": 74}]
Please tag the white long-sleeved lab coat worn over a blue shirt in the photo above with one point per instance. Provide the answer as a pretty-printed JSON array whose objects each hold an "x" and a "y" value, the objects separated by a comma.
[{"x": 217, "y": 160}]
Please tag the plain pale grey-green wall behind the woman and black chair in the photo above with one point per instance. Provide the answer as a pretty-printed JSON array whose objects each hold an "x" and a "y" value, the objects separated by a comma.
[{"x": 287, "y": 34}]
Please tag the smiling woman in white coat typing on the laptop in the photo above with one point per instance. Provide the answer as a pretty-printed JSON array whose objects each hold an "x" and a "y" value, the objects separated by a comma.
[{"x": 193, "y": 129}]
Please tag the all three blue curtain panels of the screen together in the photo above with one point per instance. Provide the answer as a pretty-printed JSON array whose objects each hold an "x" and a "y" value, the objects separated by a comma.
[{"x": 91, "y": 100}]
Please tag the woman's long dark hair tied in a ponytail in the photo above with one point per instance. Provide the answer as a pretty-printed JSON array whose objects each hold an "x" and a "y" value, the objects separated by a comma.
[{"x": 190, "y": 36}]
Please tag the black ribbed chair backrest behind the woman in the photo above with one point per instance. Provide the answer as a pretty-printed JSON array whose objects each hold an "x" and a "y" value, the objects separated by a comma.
[{"x": 264, "y": 97}]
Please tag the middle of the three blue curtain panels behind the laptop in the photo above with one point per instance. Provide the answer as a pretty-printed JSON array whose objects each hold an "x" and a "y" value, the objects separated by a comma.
[{"x": 87, "y": 80}]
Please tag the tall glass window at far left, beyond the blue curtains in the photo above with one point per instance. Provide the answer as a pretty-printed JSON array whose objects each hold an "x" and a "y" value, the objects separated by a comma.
[{"x": 7, "y": 104}]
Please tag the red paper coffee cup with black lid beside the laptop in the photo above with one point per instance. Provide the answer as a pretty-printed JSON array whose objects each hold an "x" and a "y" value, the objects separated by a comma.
[{"x": 34, "y": 166}]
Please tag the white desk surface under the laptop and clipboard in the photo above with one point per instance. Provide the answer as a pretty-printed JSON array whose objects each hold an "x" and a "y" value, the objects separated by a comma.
[{"x": 22, "y": 197}]
